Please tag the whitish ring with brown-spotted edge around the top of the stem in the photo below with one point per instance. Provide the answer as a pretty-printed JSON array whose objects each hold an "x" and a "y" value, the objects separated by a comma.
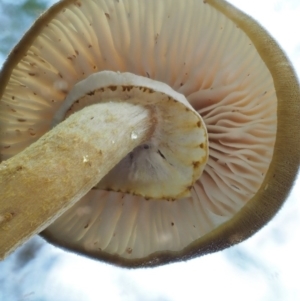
[{"x": 168, "y": 164}]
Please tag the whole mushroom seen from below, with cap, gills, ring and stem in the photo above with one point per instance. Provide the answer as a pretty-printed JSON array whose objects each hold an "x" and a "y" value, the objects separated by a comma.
[{"x": 117, "y": 76}]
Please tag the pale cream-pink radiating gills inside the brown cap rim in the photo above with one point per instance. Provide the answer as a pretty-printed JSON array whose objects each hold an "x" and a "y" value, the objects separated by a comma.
[{"x": 222, "y": 77}]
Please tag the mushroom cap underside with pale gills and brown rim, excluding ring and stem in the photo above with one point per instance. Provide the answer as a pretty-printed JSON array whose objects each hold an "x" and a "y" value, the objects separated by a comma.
[{"x": 230, "y": 70}]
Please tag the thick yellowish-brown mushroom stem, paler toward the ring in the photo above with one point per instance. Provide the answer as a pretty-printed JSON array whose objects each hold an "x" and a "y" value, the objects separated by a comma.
[{"x": 48, "y": 177}]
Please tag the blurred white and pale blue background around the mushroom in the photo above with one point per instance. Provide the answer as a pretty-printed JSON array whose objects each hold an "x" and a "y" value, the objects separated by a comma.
[{"x": 263, "y": 268}]
